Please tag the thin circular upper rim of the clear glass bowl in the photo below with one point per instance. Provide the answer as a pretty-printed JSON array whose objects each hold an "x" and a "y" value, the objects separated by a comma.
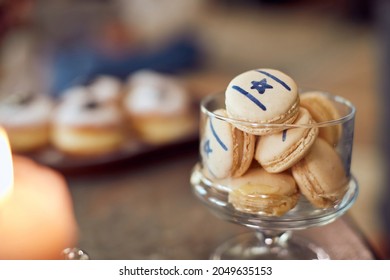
[{"x": 336, "y": 98}]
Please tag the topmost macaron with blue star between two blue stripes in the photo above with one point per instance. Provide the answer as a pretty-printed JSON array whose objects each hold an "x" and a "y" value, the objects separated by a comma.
[{"x": 262, "y": 96}]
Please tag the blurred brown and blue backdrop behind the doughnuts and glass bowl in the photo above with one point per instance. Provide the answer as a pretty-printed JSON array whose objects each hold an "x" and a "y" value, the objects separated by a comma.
[{"x": 340, "y": 46}]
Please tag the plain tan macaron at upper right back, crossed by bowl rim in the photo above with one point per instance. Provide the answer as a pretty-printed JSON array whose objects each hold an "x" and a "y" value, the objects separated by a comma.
[{"x": 323, "y": 109}]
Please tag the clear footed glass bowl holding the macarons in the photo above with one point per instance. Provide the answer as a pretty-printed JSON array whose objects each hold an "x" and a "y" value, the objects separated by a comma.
[{"x": 272, "y": 236}]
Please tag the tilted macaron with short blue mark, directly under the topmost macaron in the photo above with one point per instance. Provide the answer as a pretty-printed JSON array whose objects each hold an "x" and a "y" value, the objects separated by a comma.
[{"x": 279, "y": 151}]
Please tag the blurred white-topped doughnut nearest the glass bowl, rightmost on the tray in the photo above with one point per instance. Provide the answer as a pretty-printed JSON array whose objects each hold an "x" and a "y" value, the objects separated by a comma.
[{"x": 158, "y": 107}]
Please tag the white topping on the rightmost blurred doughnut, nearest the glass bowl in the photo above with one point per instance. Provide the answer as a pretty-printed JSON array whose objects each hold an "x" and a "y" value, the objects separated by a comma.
[{"x": 153, "y": 93}]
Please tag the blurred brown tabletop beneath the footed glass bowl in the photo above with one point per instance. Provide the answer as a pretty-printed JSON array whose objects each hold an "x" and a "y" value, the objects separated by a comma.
[{"x": 146, "y": 210}]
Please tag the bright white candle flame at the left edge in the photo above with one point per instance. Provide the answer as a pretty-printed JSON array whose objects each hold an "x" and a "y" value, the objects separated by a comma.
[{"x": 6, "y": 168}]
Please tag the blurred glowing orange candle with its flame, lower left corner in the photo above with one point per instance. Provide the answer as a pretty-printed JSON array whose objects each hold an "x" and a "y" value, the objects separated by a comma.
[{"x": 36, "y": 214}]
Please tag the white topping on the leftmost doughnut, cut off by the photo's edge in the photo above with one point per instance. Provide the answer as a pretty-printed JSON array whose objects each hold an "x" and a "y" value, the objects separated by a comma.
[{"x": 19, "y": 114}]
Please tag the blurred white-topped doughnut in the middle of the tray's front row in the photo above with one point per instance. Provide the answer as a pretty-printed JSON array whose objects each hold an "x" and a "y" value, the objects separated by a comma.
[{"x": 82, "y": 125}]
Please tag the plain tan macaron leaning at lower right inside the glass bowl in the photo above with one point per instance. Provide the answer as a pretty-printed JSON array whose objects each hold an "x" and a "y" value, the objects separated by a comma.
[{"x": 321, "y": 176}]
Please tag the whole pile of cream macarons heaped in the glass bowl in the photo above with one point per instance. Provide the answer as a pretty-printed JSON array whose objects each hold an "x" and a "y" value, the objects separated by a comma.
[{"x": 266, "y": 147}]
